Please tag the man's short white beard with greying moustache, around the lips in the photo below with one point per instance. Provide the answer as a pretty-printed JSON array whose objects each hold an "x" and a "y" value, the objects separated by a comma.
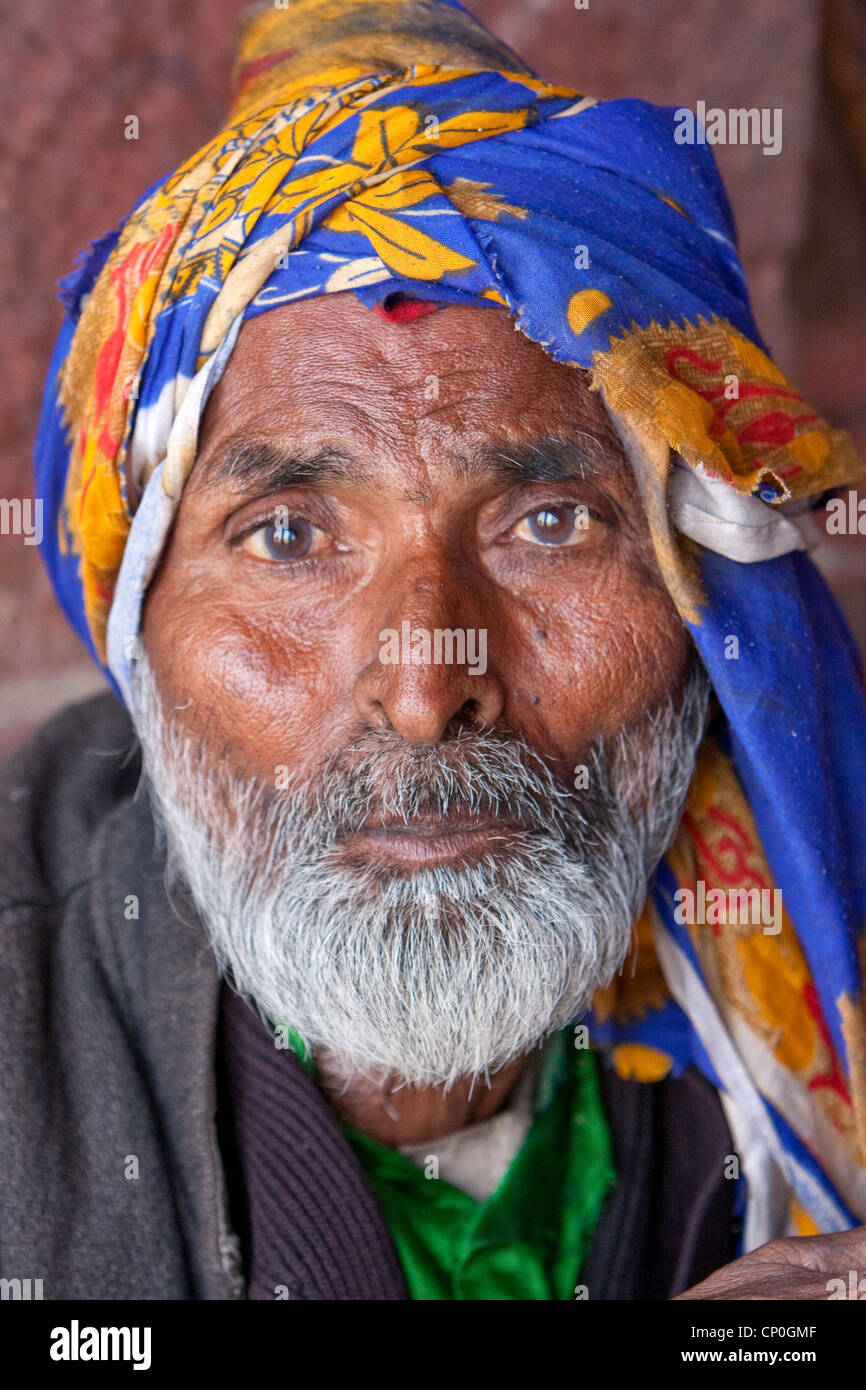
[{"x": 450, "y": 971}]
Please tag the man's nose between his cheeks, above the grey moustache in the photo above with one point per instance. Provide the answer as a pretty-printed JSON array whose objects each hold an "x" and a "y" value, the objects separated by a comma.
[{"x": 432, "y": 661}]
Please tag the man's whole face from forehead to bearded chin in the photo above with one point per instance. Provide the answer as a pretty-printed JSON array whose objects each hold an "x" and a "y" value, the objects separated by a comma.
[{"x": 423, "y": 865}]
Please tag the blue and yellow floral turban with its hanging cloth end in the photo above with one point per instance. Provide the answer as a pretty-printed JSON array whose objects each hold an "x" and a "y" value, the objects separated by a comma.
[{"x": 397, "y": 151}]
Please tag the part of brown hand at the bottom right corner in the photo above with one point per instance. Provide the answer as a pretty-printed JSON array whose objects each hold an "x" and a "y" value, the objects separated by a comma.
[{"x": 799, "y": 1267}]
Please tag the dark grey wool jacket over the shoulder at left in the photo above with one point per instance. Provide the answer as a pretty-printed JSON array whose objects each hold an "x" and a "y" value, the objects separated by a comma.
[{"x": 111, "y": 1175}]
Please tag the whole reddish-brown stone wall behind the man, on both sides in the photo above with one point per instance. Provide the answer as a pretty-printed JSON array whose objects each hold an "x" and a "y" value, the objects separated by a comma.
[{"x": 70, "y": 74}]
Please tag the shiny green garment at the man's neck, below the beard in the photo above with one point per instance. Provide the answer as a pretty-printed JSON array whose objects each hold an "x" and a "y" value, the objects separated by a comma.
[{"x": 530, "y": 1238}]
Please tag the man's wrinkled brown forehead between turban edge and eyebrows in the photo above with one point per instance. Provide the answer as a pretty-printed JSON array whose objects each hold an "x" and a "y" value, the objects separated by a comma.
[{"x": 450, "y": 384}]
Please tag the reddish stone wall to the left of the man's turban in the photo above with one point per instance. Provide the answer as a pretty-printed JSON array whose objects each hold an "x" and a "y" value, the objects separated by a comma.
[{"x": 69, "y": 77}]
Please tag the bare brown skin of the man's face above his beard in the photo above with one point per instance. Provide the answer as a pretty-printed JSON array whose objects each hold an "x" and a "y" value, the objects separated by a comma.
[{"x": 430, "y": 475}]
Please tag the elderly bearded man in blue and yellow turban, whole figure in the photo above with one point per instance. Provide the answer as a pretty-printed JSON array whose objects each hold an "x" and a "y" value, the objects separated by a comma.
[{"x": 482, "y": 915}]
